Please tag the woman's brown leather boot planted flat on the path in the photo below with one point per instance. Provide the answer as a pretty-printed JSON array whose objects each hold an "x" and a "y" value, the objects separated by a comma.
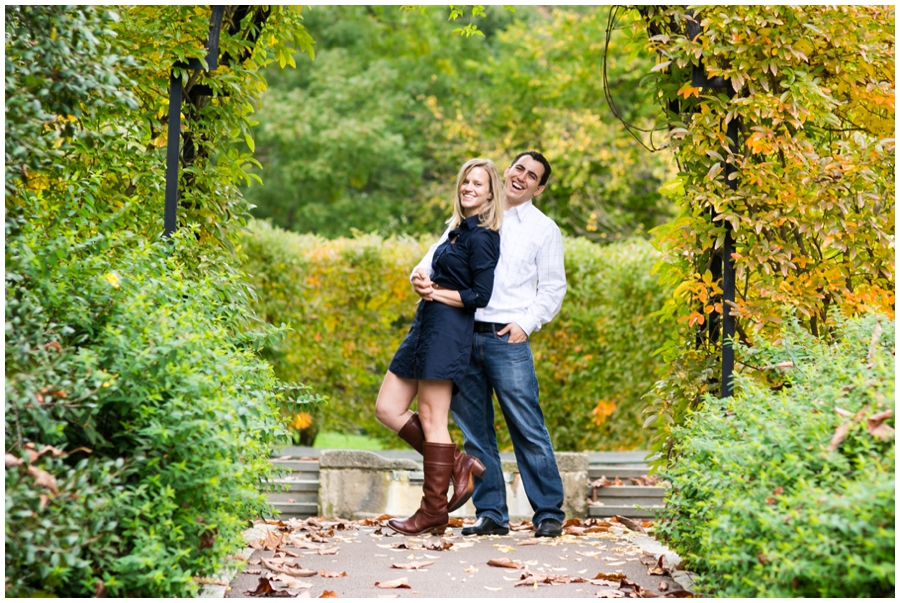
[{"x": 432, "y": 513}]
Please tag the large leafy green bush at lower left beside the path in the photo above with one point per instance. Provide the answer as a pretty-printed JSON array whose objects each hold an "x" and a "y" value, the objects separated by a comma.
[{"x": 161, "y": 414}]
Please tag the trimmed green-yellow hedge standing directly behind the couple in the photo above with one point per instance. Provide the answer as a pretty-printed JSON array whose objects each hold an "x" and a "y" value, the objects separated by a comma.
[{"x": 349, "y": 303}]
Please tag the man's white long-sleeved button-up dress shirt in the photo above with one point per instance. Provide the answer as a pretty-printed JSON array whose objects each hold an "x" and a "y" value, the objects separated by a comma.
[{"x": 530, "y": 278}]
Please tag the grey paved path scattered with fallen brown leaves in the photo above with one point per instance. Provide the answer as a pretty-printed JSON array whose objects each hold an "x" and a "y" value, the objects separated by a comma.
[{"x": 366, "y": 559}]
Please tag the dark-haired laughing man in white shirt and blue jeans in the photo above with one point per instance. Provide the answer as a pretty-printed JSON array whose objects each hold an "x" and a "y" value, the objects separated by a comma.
[{"x": 529, "y": 286}]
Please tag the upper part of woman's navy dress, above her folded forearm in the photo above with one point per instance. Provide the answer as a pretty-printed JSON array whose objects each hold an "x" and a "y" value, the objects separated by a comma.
[{"x": 465, "y": 262}]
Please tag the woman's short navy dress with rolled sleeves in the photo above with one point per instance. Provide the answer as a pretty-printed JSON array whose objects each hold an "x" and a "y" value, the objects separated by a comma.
[{"x": 439, "y": 342}]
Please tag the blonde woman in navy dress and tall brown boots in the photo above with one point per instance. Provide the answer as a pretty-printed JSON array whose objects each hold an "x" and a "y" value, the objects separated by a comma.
[{"x": 436, "y": 351}]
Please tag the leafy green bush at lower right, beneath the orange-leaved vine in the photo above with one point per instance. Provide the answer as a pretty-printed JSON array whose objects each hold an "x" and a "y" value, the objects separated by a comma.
[{"x": 767, "y": 500}]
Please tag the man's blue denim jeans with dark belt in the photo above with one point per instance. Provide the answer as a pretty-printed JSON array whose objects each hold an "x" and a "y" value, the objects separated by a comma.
[{"x": 507, "y": 369}]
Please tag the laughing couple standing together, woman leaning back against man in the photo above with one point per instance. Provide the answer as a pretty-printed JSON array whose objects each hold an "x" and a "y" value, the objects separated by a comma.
[{"x": 482, "y": 294}]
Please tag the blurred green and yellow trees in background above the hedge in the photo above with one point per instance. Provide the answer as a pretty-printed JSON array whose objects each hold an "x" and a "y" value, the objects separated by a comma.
[{"x": 368, "y": 135}]
